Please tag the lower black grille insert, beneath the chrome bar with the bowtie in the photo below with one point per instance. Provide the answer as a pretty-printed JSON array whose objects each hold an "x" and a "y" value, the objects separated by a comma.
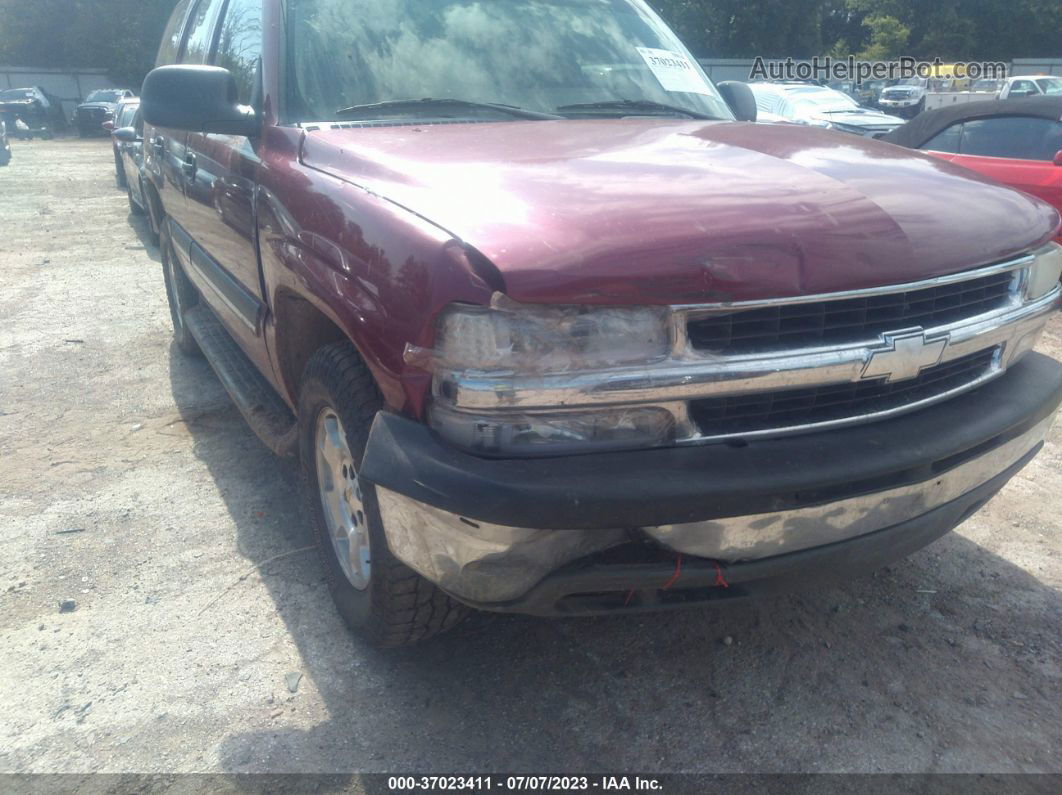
[{"x": 735, "y": 416}]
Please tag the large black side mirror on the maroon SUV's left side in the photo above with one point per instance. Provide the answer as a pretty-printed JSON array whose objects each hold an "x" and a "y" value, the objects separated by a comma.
[{"x": 199, "y": 99}]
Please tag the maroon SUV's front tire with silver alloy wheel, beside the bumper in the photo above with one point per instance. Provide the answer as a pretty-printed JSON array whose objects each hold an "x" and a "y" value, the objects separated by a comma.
[{"x": 391, "y": 606}]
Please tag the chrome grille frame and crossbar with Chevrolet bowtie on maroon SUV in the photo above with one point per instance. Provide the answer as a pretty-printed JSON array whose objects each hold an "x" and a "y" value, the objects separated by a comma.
[{"x": 689, "y": 374}]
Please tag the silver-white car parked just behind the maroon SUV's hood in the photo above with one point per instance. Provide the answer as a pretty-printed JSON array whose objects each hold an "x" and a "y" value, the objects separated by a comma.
[{"x": 804, "y": 103}]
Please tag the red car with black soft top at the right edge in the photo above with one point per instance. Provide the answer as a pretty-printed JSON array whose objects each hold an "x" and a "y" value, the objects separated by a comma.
[{"x": 1018, "y": 143}]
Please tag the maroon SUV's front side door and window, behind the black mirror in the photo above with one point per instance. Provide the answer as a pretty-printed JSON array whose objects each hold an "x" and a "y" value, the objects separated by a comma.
[{"x": 220, "y": 183}]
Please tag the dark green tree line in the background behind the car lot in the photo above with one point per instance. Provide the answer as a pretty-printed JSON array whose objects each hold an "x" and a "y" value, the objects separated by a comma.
[{"x": 123, "y": 36}]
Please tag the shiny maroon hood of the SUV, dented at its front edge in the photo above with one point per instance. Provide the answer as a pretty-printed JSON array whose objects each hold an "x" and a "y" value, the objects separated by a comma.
[{"x": 674, "y": 212}]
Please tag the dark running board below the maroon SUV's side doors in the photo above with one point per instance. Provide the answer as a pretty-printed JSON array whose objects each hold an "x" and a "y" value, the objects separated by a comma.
[{"x": 265, "y": 410}]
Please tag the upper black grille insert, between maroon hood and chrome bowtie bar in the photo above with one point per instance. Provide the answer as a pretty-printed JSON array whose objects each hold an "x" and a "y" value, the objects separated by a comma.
[{"x": 850, "y": 320}]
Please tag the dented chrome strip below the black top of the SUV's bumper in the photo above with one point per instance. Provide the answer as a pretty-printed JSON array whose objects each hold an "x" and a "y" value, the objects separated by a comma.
[{"x": 492, "y": 563}]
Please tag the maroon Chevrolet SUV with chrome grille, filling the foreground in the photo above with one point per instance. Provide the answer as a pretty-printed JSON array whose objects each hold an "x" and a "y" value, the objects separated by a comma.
[{"x": 551, "y": 332}]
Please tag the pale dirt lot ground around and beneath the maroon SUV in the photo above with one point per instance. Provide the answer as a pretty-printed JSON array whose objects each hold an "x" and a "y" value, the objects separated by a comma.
[{"x": 130, "y": 486}]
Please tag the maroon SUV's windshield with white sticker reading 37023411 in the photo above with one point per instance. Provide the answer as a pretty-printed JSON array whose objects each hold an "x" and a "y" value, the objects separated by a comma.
[{"x": 536, "y": 55}]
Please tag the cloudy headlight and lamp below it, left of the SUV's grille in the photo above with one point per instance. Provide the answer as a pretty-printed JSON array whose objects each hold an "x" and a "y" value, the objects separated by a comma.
[{"x": 520, "y": 342}]
